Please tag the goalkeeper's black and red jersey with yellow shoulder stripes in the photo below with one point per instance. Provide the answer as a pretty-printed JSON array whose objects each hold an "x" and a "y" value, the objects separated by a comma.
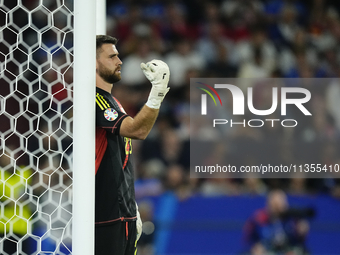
[{"x": 115, "y": 194}]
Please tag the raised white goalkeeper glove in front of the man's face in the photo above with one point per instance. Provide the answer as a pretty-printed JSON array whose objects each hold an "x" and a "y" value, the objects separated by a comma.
[{"x": 158, "y": 73}]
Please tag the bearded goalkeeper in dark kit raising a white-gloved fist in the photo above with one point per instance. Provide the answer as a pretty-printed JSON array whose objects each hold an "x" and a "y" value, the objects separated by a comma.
[{"x": 118, "y": 225}]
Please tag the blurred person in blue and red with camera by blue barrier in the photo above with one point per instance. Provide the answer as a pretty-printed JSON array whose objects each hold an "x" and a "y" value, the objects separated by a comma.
[{"x": 277, "y": 229}]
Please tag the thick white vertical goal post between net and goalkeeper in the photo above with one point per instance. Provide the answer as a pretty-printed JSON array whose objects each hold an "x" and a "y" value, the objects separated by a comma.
[{"x": 84, "y": 127}]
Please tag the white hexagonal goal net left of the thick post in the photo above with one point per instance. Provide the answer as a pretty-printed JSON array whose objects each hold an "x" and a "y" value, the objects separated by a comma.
[{"x": 36, "y": 52}]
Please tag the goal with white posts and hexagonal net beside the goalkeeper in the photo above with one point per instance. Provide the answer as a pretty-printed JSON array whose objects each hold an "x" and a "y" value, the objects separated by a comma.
[{"x": 47, "y": 130}]
